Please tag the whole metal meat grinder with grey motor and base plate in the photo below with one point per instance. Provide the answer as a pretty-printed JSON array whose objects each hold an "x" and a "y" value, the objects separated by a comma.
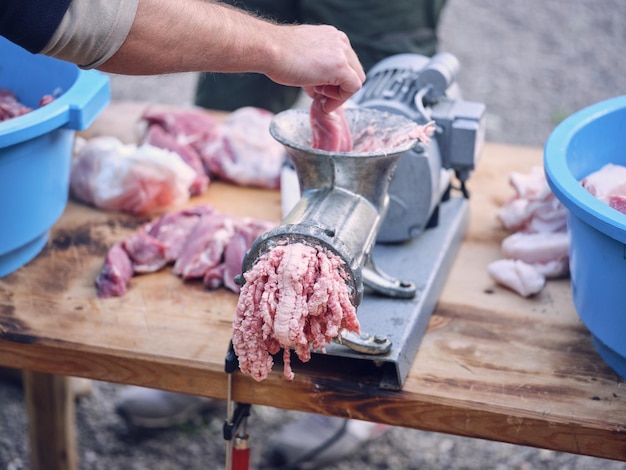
[{"x": 396, "y": 207}]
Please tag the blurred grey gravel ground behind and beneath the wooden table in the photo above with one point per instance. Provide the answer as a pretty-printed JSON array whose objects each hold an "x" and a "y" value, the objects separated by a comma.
[{"x": 532, "y": 63}]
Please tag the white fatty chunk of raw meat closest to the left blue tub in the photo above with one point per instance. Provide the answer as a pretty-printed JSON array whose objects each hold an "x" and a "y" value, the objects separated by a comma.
[{"x": 134, "y": 179}]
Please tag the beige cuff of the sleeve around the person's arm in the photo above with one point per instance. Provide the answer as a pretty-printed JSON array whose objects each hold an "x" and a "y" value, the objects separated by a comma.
[{"x": 92, "y": 31}]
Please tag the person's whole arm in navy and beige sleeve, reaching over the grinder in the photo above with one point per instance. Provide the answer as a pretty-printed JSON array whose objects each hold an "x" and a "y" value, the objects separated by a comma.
[{"x": 145, "y": 37}]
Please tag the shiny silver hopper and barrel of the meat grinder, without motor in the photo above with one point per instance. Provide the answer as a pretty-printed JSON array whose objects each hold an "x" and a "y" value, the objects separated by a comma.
[{"x": 344, "y": 195}]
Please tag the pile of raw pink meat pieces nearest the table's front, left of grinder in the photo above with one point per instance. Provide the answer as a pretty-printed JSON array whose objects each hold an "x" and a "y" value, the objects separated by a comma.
[{"x": 195, "y": 239}]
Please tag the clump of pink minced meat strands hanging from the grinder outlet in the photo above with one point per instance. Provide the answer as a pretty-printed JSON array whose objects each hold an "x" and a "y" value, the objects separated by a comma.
[{"x": 294, "y": 296}]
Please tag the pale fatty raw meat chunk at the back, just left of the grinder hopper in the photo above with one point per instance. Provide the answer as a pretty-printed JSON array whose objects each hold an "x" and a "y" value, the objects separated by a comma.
[{"x": 245, "y": 153}]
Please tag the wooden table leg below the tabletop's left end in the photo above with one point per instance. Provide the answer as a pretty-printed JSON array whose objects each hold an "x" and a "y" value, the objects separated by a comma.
[{"x": 51, "y": 421}]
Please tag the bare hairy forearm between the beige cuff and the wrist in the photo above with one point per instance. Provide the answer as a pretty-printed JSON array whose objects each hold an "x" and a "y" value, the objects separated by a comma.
[{"x": 193, "y": 35}]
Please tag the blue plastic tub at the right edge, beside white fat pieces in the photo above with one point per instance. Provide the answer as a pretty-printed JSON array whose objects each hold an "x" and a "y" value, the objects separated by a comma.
[{"x": 580, "y": 145}]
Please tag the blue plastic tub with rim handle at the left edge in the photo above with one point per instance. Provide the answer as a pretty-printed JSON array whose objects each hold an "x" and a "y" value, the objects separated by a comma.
[{"x": 36, "y": 148}]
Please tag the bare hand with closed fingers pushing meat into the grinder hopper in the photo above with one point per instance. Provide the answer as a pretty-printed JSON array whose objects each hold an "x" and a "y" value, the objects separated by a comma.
[{"x": 318, "y": 58}]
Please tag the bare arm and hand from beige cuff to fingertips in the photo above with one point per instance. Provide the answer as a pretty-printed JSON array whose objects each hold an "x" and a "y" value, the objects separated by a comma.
[{"x": 196, "y": 35}]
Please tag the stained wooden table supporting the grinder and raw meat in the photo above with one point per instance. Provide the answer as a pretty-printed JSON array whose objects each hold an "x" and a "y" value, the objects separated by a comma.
[{"x": 492, "y": 365}]
